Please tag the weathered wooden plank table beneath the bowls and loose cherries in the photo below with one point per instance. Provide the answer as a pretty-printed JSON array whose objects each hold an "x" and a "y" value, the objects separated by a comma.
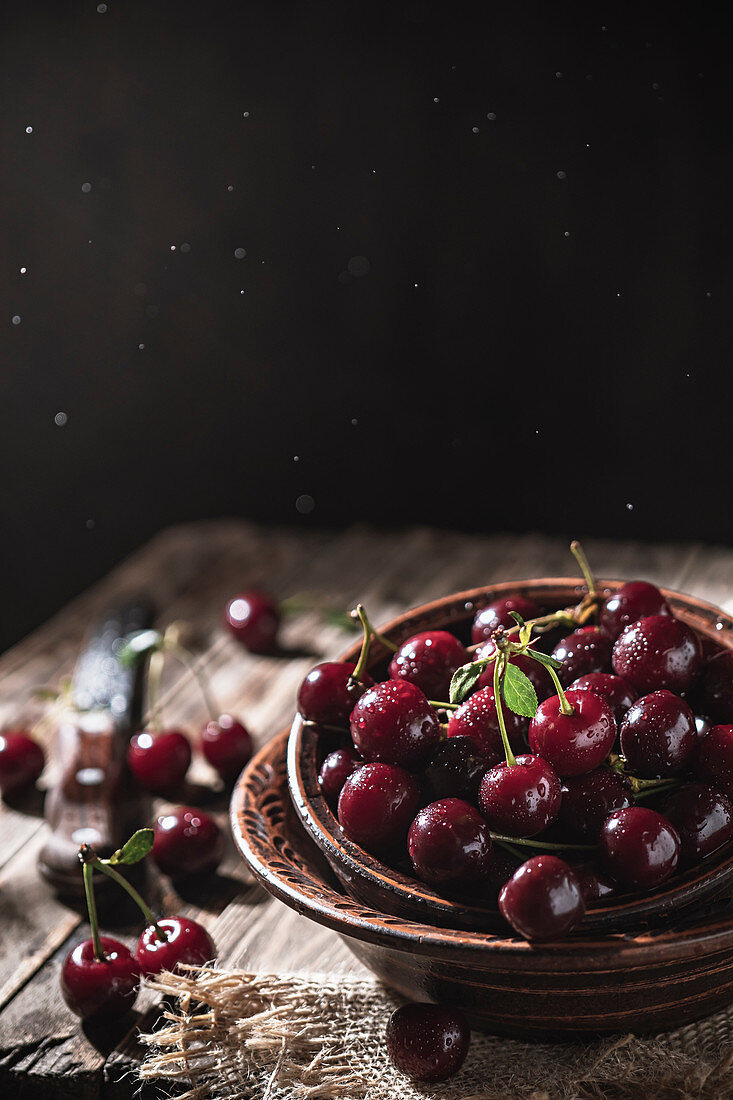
[{"x": 190, "y": 573}]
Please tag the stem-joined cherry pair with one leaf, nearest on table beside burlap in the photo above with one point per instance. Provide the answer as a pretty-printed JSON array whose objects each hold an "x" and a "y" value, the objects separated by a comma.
[{"x": 101, "y": 977}]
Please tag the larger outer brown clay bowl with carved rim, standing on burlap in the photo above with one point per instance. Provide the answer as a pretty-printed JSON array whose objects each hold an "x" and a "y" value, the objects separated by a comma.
[{"x": 587, "y": 984}]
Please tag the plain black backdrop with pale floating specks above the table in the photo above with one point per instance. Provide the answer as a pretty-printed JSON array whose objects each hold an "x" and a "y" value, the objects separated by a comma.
[{"x": 518, "y": 322}]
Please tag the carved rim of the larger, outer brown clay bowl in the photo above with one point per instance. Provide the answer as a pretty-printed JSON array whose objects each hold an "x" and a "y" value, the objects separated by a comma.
[{"x": 261, "y": 797}]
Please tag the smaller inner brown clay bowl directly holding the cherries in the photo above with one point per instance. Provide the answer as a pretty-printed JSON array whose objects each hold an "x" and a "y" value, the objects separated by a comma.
[{"x": 371, "y": 882}]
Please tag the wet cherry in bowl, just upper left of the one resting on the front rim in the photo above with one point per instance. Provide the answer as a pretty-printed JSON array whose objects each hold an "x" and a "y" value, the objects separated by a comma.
[{"x": 450, "y": 842}]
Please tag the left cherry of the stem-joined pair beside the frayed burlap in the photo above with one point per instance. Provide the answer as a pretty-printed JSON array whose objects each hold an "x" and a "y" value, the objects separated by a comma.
[{"x": 100, "y": 989}]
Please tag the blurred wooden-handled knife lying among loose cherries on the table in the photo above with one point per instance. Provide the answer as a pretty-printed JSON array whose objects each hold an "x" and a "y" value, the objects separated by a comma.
[{"x": 93, "y": 801}]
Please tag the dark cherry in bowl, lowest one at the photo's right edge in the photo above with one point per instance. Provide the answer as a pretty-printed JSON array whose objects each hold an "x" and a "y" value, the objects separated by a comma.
[{"x": 704, "y": 818}]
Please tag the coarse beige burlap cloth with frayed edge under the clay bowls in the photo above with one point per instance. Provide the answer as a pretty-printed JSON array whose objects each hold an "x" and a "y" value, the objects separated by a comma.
[{"x": 233, "y": 1035}]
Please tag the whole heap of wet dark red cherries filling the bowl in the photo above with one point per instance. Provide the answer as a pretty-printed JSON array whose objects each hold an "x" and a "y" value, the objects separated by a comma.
[{"x": 531, "y": 744}]
